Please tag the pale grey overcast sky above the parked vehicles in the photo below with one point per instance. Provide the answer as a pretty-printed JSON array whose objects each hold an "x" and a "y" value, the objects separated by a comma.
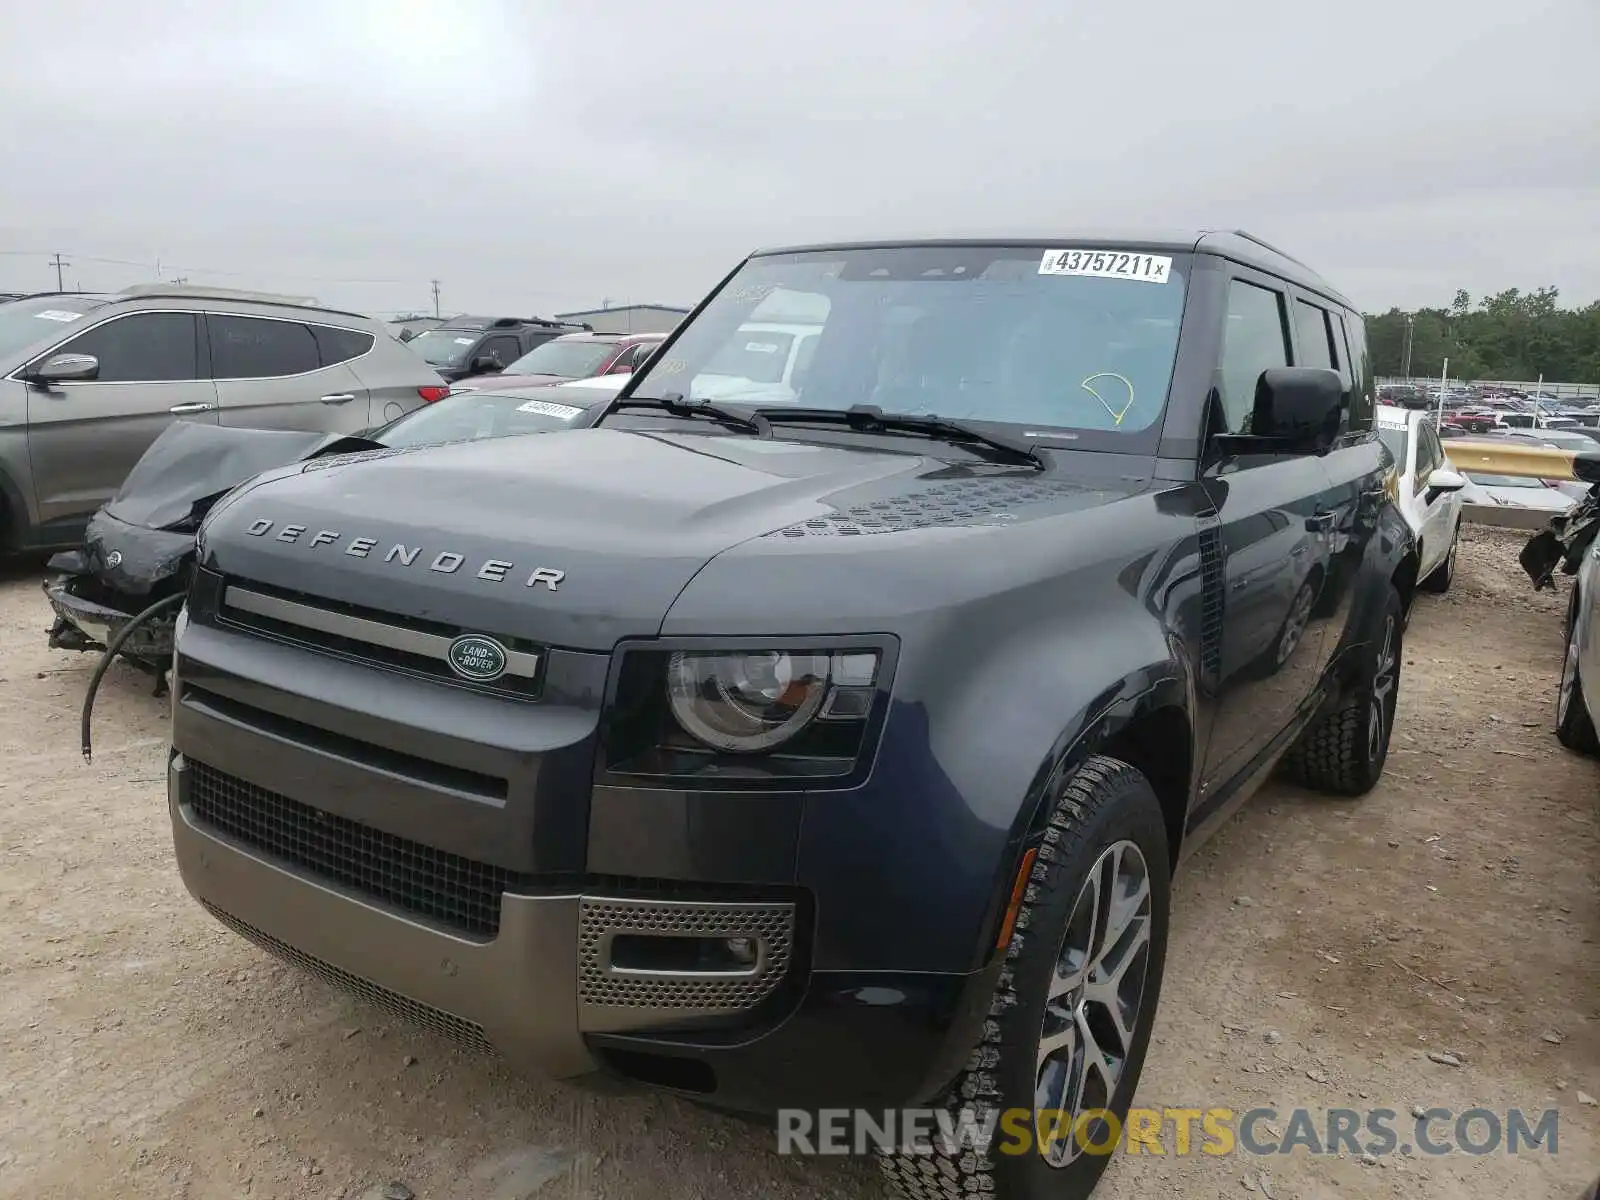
[{"x": 537, "y": 158}]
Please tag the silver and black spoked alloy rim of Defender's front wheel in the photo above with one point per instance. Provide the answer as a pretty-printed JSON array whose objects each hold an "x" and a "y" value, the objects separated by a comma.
[{"x": 1094, "y": 1006}]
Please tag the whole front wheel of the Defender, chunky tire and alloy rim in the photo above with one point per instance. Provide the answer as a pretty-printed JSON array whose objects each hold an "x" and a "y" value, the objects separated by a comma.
[{"x": 1071, "y": 1020}]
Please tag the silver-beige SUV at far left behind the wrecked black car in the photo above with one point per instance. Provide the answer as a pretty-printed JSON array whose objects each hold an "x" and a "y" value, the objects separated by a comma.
[{"x": 87, "y": 382}]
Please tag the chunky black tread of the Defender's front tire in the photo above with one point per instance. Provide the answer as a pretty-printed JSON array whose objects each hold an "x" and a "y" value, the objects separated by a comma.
[{"x": 945, "y": 1177}]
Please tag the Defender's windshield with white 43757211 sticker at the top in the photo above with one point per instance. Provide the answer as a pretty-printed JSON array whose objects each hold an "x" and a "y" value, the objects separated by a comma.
[{"x": 1049, "y": 338}]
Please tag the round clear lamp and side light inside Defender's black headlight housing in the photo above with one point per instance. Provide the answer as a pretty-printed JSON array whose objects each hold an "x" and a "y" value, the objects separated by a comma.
[{"x": 751, "y": 702}]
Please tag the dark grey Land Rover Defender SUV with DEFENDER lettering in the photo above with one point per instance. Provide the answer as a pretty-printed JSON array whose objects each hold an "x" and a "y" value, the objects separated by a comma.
[{"x": 823, "y": 753}]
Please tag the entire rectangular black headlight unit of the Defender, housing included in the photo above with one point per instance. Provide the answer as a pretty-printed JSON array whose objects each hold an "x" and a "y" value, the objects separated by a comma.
[{"x": 748, "y": 716}]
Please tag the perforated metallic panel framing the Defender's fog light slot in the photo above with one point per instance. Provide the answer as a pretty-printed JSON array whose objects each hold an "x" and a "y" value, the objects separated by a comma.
[{"x": 598, "y": 985}]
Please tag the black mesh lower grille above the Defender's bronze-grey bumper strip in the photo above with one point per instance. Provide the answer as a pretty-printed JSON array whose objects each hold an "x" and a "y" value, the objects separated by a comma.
[{"x": 449, "y": 889}]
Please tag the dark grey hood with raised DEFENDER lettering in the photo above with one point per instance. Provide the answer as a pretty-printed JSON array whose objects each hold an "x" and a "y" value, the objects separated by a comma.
[{"x": 586, "y": 537}]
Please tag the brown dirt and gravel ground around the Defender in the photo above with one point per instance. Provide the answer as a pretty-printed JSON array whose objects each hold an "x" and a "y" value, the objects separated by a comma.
[{"x": 1321, "y": 950}]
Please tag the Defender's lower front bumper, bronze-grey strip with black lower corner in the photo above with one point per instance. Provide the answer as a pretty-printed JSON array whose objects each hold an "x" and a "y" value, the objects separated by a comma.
[{"x": 542, "y": 993}]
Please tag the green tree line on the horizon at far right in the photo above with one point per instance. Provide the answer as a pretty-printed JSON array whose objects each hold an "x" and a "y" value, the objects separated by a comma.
[{"x": 1513, "y": 335}]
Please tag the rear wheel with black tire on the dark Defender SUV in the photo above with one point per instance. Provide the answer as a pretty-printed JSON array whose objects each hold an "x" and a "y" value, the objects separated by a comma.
[{"x": 1345, "y": 753}]
